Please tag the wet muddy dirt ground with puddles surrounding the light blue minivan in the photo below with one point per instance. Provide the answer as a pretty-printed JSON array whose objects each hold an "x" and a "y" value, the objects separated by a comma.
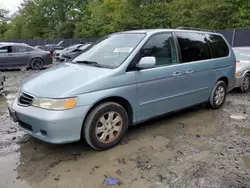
[{"x": 190, "y": 149}]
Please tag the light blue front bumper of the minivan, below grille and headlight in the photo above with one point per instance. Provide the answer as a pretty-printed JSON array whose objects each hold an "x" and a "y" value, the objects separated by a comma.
[{"x": 56, "y": 127}]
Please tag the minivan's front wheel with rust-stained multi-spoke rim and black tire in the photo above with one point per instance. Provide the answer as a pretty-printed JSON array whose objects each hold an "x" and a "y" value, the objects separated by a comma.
[{"x": 98, "y": 129}]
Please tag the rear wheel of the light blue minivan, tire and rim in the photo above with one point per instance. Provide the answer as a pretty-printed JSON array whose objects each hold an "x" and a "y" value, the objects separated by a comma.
[{"x": 220, "y": 92}]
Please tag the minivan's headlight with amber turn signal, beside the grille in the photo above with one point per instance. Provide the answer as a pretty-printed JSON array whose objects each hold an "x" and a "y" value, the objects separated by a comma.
[{"x": 55, "y": 104}]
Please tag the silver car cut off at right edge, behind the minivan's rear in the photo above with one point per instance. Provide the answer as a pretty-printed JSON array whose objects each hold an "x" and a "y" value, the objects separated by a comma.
[{"x": 242, "y": 68}]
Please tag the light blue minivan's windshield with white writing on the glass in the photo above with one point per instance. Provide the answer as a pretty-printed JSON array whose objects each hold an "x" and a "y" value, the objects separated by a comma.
[{"x": 112, "y": 50}]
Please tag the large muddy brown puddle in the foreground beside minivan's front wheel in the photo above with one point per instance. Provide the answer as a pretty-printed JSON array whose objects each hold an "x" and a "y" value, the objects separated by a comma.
[{"x": 90, "y": 169}]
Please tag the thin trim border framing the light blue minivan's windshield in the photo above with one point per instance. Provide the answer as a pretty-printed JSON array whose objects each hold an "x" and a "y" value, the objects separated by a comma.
[{"x": 102, "y": 38}]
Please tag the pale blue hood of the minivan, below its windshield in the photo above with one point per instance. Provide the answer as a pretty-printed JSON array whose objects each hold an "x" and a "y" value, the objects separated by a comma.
[{"x": 61, "y": 81}]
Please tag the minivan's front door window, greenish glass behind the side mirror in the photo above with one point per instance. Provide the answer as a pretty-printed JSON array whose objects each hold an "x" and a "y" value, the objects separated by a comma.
[{"x": 162, "y": 47}]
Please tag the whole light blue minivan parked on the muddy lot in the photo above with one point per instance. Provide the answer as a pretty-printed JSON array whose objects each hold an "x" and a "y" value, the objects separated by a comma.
[{"x": 124, "y": 79}]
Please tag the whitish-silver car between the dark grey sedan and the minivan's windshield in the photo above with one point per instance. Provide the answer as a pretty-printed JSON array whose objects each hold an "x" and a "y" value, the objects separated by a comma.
[{"x": 61, "y": 55}]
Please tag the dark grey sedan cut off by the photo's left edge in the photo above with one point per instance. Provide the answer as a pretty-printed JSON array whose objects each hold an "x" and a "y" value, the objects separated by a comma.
[{"x": 18, "y": 55}]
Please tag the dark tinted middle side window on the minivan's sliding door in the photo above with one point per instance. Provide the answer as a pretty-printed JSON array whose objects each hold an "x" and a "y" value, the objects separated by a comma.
[{"x": 193, "y": 46}]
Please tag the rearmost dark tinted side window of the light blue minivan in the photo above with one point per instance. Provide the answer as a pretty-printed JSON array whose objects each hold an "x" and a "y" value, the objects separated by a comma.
[{"x": 218, "y": 46}]
